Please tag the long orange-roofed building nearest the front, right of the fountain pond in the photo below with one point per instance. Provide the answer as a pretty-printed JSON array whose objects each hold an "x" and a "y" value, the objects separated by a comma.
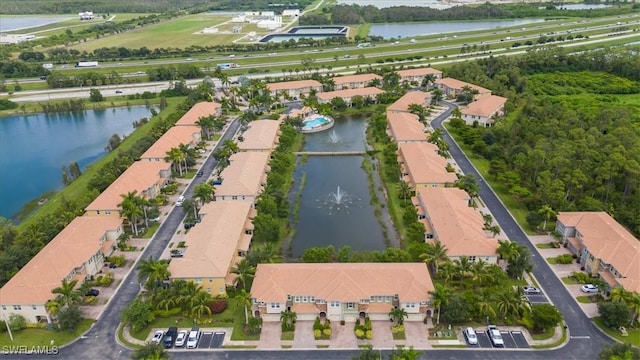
[{"x": 448, "y": 217}]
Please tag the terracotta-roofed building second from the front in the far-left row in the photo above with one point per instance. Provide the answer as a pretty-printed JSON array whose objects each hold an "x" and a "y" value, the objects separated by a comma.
[{"x": 146, "y": 178}]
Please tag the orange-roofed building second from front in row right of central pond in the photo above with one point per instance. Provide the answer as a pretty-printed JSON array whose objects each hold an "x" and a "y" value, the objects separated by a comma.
[{"x": 422, "y": 166}]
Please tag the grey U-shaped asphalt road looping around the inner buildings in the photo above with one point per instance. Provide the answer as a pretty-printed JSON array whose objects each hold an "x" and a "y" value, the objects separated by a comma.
[{"x": 585, "y": 342}]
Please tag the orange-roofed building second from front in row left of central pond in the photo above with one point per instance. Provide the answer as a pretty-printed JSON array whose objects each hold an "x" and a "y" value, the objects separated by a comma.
[{"x": 244, "y": 178}]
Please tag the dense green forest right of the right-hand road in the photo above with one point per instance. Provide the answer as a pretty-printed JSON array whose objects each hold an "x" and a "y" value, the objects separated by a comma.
[{"x": 566, "y": 145}]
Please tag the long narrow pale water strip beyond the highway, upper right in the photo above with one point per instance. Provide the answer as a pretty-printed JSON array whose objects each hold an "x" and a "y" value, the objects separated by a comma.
[{"x": 420, "y": 29}]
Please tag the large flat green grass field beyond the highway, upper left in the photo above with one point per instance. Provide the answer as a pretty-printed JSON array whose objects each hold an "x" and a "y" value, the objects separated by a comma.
[{"x": 175, "y": 33}]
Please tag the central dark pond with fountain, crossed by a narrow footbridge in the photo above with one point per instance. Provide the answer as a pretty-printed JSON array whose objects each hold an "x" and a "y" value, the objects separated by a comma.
[{"x": 335, "y": 203}]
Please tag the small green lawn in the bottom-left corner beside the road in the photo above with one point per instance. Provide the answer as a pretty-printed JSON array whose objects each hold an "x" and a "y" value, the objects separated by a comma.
[{"x": 43, "y": 337}]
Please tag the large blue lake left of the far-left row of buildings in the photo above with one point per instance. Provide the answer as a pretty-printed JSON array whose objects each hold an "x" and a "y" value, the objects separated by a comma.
[{"x": 33, "y": 149}]
